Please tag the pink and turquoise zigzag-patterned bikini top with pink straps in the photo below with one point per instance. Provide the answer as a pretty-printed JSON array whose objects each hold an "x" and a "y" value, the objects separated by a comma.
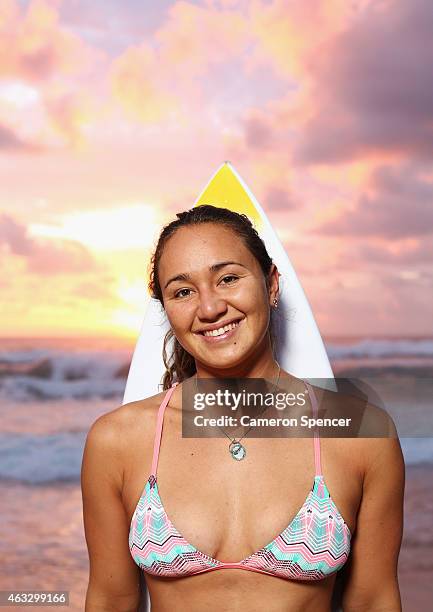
[{"x": 315, "y": 544}]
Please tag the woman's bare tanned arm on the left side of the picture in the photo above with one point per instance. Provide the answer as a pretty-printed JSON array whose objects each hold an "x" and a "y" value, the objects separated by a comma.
[{"x": 114, "y": 578}]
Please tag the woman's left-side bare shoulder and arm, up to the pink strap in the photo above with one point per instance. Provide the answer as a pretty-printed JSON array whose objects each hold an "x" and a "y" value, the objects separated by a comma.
[{"x": 108, "y": 455}]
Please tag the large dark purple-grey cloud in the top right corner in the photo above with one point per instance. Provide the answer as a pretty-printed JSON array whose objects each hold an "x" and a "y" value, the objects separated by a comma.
[{"x": 369, "y": 87}]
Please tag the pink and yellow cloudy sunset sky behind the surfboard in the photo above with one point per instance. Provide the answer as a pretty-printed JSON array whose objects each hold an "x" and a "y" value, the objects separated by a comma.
[{"x": 114, "y": 115}]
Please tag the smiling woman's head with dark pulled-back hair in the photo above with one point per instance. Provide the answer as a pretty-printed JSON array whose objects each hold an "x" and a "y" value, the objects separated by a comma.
[{"x": 195, "y": 299}]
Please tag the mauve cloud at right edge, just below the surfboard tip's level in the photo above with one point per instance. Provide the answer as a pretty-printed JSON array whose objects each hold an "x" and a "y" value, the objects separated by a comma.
[{"x": 396, "y": 204}]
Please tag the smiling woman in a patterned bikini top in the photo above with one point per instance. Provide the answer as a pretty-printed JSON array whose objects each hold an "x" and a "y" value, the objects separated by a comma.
[{"x": 192, "y": 519}]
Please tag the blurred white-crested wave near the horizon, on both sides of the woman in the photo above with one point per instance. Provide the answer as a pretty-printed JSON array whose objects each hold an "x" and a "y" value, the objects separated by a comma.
[{"x": 47, "y": 374}]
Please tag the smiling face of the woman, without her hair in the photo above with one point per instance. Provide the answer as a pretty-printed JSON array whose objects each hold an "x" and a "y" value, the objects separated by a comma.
[{"x": 200, "y": 292}]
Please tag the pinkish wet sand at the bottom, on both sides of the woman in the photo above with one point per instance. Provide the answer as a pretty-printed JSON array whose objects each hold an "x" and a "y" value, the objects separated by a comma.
[{"x": 42, "y": 543}]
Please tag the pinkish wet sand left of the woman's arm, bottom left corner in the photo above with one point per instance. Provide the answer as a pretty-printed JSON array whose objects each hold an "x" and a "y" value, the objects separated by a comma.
[{"x": 42, "y": 544}]
